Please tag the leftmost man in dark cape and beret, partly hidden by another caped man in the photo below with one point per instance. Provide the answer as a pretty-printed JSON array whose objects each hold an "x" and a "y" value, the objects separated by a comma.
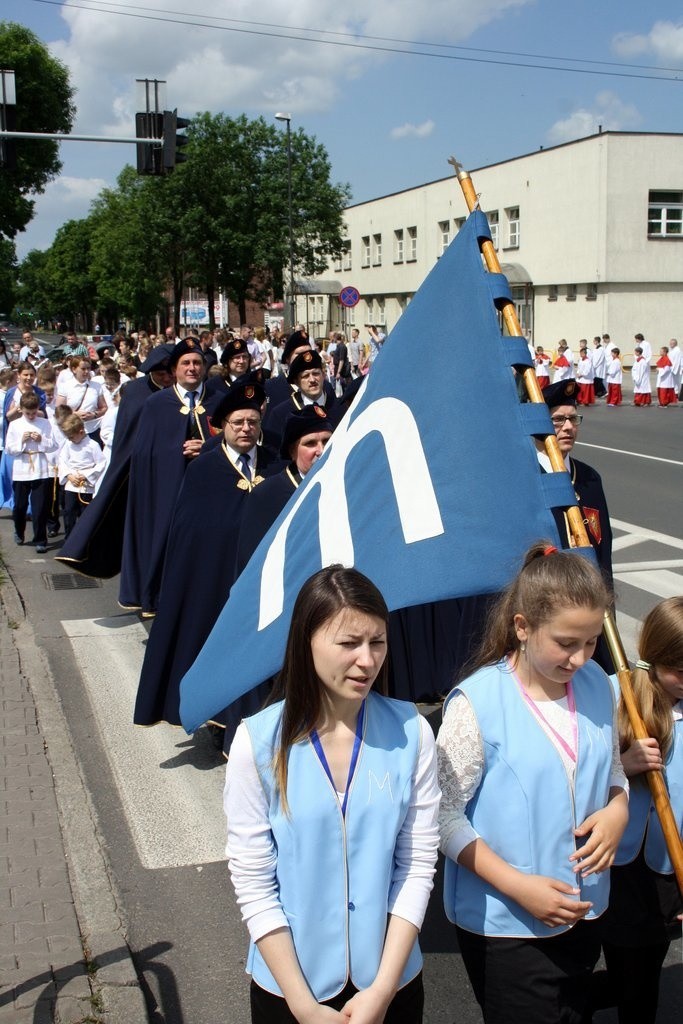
[{"x": 96, "y": 544}]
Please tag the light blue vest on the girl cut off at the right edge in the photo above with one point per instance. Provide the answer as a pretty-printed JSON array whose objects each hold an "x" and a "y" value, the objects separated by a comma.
[{"x": 644, "y": 822}]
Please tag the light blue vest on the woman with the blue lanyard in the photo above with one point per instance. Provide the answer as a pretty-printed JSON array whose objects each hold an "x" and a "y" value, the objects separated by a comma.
[{"x": 334, "y": 874}]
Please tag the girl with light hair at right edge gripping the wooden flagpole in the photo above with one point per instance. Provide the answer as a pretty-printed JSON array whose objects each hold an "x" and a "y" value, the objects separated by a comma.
[{"x": 645, "y": 902}]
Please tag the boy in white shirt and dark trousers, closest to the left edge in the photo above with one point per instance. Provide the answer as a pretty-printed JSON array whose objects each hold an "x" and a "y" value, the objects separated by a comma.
[{"x": 29, "y": 441}]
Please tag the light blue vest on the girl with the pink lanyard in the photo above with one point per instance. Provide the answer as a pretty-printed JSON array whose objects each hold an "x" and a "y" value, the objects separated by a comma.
[{"x": 525, "y": 808}]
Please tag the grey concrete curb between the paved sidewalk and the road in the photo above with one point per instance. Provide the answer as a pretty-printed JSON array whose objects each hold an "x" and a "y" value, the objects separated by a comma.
[{"x": 94, "y": 888}]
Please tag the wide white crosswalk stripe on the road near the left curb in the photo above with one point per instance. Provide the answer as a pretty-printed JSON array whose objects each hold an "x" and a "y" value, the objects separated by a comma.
[{"x": 176, "y": 817}]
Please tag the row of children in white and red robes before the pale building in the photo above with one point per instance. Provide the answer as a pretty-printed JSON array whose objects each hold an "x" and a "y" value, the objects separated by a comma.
[{"x": 599, "y": 370}]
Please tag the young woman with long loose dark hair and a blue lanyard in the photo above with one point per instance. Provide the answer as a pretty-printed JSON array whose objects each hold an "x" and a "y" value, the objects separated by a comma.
[{"x": 332, "y": 803}]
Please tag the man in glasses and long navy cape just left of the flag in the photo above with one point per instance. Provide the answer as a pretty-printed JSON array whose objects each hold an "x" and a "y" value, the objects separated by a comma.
[{"x": 216, "y": 495}]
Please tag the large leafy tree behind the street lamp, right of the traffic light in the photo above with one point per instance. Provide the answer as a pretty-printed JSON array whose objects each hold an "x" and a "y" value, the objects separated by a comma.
[{"x": 236, "y": 217}]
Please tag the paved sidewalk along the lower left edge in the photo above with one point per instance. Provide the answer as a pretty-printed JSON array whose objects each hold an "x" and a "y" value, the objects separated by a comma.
[{"x": 64, "y": 958}]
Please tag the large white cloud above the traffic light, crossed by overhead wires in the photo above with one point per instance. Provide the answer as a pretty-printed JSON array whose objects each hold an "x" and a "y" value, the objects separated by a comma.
[{"x": 208, "y": 69}]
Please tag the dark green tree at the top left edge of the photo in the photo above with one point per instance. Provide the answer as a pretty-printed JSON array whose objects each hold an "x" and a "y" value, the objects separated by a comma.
[{"x": 45, "y": 104}]
